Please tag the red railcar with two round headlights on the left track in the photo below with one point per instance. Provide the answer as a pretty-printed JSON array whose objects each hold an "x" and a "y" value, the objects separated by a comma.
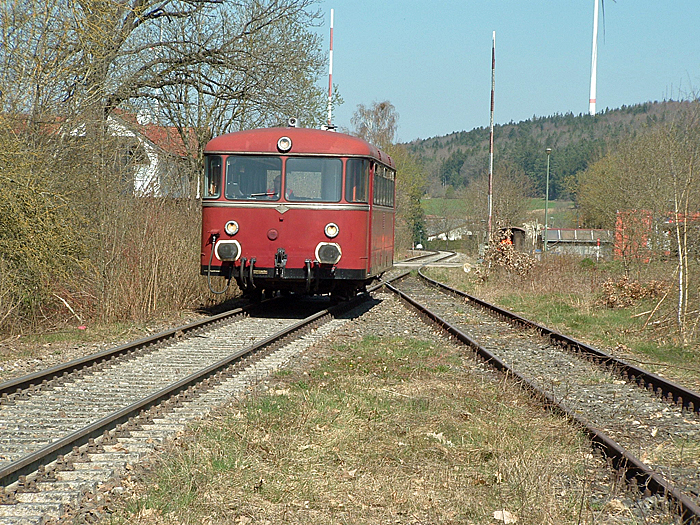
[{"x": 300, "y": 210}]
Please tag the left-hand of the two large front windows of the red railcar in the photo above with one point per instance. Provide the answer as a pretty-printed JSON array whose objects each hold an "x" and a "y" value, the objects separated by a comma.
[{"x": 250, "y": 177}]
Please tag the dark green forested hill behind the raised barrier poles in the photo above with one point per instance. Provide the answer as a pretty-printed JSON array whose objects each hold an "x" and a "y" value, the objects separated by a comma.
[{"x": 576, "y": 141}]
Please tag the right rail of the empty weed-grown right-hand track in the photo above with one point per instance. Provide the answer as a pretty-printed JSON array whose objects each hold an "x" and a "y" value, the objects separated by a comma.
[{"x": 672, "y": 392}]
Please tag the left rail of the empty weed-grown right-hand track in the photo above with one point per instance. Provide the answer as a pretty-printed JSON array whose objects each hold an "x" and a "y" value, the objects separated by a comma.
[{"x": 622, "y": 459}]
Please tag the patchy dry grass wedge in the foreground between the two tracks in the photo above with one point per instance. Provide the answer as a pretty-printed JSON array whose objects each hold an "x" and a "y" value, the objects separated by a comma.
[{"x": 375, "y": 430}]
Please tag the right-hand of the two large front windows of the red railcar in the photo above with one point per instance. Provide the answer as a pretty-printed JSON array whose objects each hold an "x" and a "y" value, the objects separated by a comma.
[{"x": 313, "y": 179}]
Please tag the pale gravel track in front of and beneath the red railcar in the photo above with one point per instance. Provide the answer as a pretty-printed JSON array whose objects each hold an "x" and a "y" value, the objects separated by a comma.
[{"x": 64, "y": 432}]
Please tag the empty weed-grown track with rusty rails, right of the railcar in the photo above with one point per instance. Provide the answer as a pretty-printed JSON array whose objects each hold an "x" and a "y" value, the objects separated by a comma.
[{"x": 647, "y": 426}]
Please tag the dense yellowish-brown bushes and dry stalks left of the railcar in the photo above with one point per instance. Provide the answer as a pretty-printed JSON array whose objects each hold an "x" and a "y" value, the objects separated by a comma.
[{"x": 77, "y": 246}]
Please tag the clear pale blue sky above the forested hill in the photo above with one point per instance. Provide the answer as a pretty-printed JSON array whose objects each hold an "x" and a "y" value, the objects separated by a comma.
[{"x": 432, "y": 59}]
